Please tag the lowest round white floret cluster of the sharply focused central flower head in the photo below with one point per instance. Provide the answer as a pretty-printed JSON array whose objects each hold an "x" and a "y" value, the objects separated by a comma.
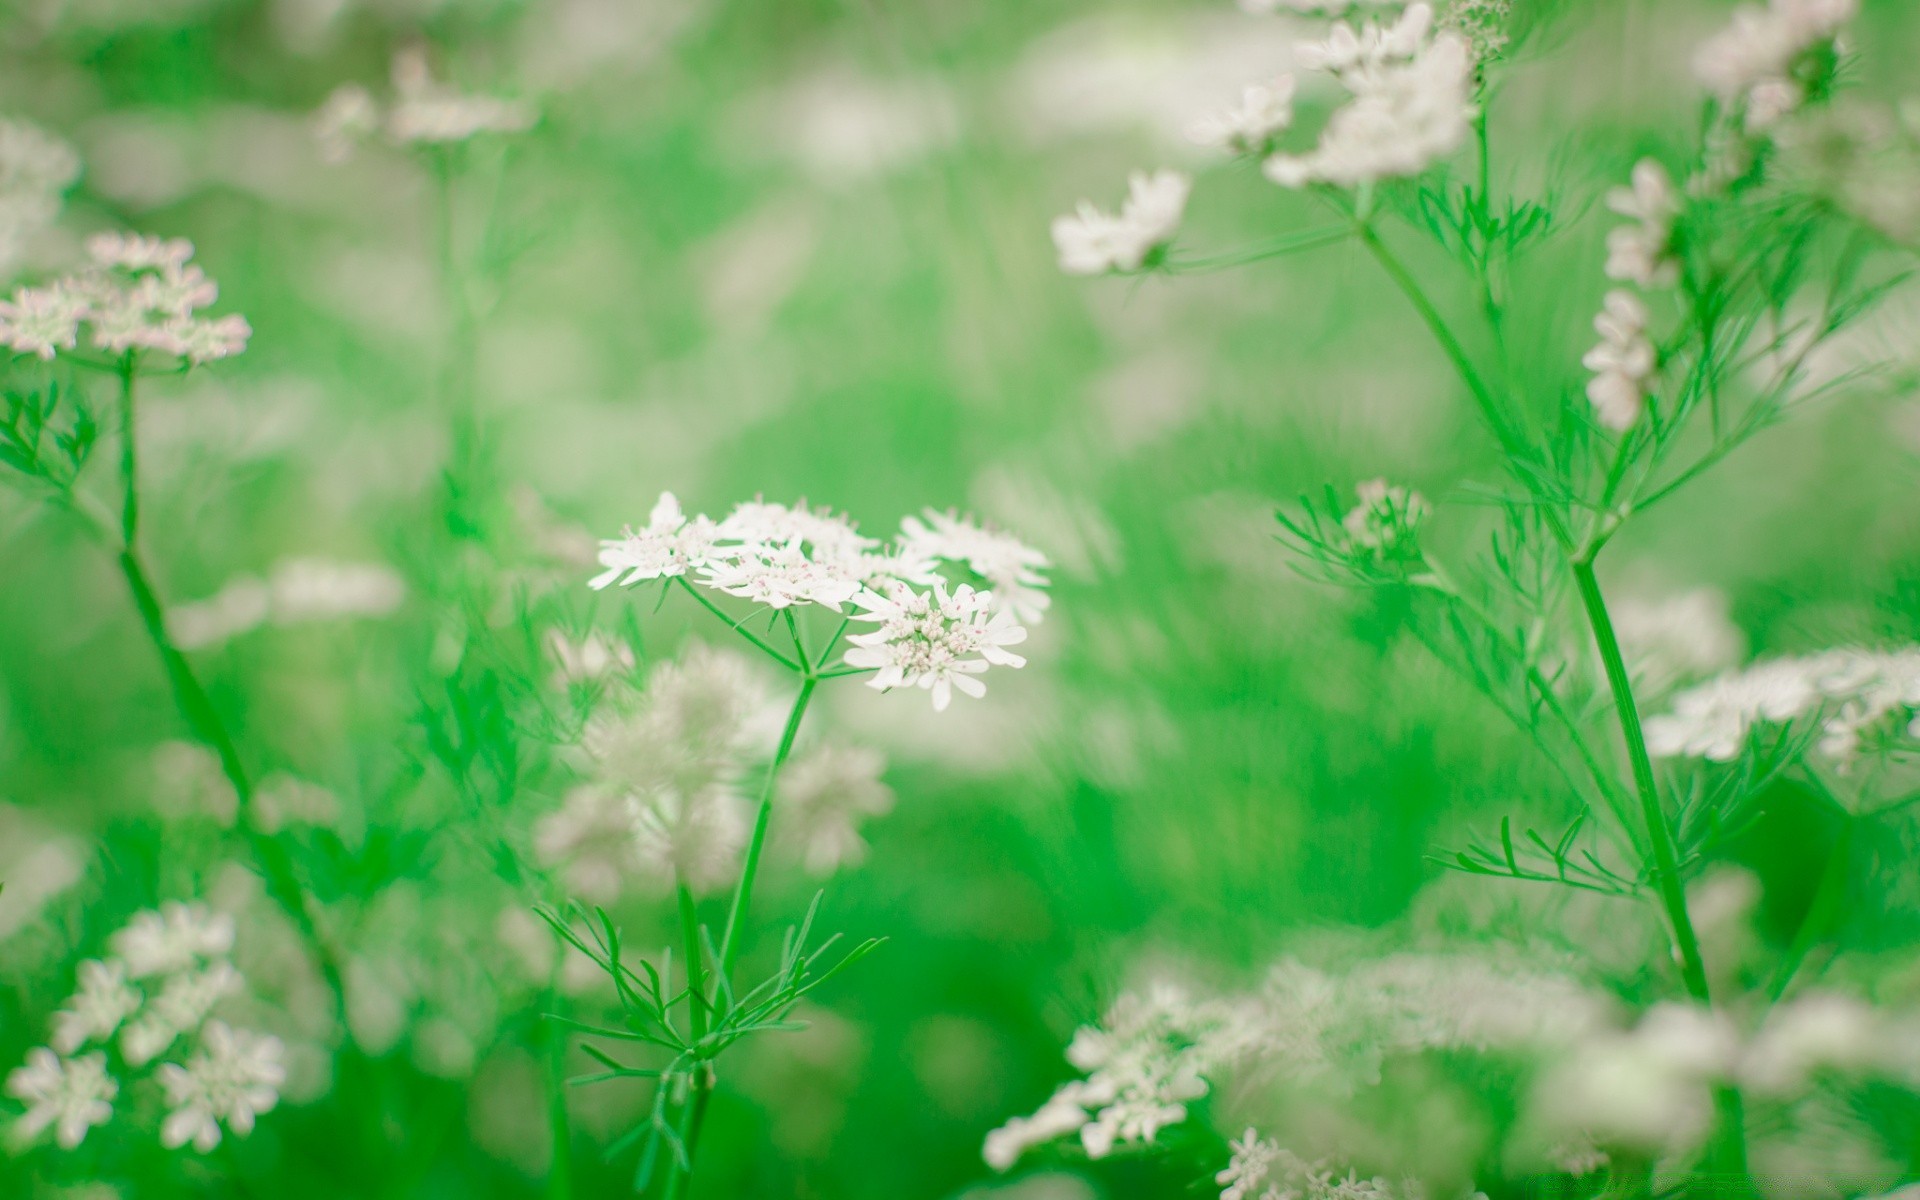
[{"x": 934, "y": 640}]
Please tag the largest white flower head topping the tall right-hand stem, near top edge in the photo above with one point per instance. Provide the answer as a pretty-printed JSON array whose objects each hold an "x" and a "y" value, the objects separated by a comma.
[{"x": 1412, "y": 103}]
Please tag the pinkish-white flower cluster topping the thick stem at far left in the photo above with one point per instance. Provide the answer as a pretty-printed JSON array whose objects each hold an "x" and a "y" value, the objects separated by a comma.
[{"x": 139, "y": 295}]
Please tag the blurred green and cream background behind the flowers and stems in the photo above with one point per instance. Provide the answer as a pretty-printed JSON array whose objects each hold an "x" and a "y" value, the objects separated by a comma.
[{"x": 802, "y": 249}]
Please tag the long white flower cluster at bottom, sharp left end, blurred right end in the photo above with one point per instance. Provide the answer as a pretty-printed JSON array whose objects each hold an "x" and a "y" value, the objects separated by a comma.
[{"x": 1163, "y": 1051}]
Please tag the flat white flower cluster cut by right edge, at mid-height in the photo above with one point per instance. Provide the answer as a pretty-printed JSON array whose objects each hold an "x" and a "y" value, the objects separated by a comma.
[{"x": 1852, "y": 694}]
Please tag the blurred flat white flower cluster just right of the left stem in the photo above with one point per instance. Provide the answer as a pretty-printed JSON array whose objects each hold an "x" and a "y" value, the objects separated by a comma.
[{"x": 297, "y": 592}]
